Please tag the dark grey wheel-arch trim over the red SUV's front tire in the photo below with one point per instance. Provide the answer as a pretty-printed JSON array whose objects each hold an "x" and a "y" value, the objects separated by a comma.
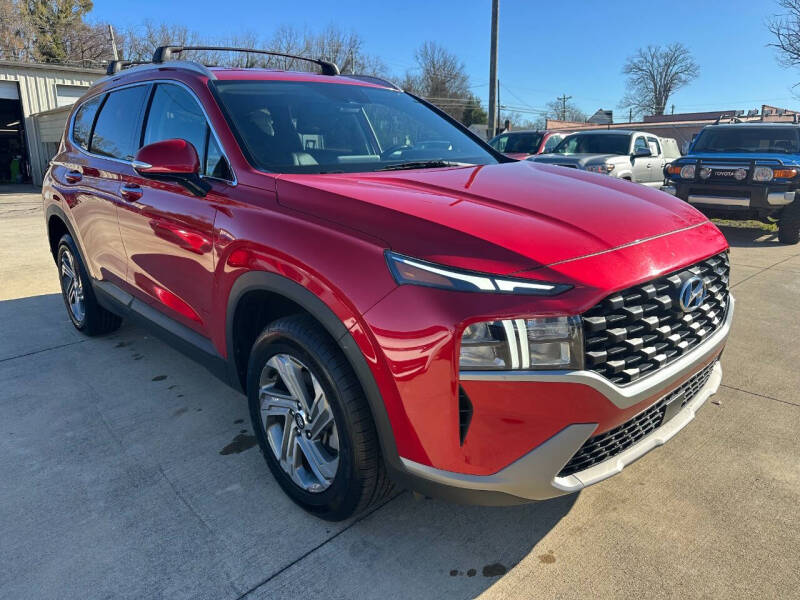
[{"x": 270, "y": 282}]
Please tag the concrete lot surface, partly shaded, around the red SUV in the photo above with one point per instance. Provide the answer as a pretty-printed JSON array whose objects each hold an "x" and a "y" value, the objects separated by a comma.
[{"x": 128, "y": 471}]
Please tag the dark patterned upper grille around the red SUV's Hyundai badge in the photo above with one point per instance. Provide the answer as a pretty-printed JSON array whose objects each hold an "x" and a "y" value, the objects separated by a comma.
[{"x": 637, "y": 331}]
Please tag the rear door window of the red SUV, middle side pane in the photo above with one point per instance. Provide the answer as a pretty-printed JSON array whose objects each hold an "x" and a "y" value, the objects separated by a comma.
[{"x": 116, "y": 133}]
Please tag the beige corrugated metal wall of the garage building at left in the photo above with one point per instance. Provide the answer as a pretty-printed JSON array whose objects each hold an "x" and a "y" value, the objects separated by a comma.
[{"x": 38, "y": 93}]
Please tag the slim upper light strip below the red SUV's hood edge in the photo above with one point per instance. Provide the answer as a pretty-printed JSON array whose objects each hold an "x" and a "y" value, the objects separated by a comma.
[{"x": 412, "y": 271}]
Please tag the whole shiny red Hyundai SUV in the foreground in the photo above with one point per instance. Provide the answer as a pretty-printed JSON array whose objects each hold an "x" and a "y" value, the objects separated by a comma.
[{"x": 401, "y": 303}]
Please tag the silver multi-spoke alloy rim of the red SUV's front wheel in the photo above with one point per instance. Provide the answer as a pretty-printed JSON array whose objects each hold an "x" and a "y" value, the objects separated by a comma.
[{"x": 299, "y": 423}]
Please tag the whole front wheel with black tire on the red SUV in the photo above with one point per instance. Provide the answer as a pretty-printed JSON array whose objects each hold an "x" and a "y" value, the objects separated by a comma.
[{"x": 297, "y": 350}]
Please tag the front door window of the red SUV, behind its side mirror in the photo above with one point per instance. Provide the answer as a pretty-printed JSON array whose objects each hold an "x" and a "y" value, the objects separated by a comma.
[{"x": 175, "y": 114}]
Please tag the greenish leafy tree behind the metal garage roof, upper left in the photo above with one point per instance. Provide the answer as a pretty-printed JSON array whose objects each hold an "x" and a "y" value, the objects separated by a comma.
[{"x": 53, "y": 23}]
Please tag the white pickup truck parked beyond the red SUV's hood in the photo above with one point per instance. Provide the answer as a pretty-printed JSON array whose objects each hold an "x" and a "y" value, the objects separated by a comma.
[{"x": 633, "y": 155}]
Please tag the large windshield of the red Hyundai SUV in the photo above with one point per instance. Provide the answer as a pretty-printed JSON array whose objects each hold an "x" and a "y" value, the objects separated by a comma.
[{"x": 312, "y": 127}]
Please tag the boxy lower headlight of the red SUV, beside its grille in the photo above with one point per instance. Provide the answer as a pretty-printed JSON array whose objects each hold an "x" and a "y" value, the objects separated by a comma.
[{"x": 549, "y": 343}]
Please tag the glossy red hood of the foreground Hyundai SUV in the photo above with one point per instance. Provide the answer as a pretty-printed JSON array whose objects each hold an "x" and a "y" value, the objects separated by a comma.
[{"x": 501, "y": 218}]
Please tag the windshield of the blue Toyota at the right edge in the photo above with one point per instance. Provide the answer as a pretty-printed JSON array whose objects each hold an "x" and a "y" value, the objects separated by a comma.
[{"x": 748, "y": 139}]
